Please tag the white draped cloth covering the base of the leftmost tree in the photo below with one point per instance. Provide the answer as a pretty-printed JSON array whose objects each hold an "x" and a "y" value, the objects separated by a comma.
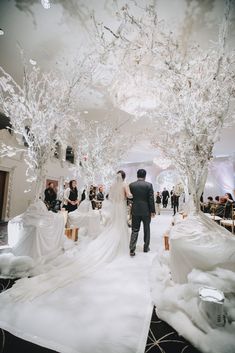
[{"x": 37, "y": 232}]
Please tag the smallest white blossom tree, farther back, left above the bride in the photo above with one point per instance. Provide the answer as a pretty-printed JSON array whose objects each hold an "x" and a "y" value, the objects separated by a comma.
[{"x": 99, "y": 147}]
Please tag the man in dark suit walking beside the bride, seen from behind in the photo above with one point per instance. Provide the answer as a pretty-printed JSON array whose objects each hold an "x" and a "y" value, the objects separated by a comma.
[{"x": 143, "y": 208}]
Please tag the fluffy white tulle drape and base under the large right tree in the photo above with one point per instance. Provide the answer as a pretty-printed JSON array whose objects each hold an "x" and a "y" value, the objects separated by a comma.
[{"x": 202, "y": 254}]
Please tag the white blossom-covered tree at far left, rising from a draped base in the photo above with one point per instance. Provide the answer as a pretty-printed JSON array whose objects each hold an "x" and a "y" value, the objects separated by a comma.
[{"x": 41, "y": 113}]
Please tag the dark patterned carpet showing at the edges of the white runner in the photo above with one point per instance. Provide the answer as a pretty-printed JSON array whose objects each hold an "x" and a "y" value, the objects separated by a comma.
[{"x": 161, "y": 337}]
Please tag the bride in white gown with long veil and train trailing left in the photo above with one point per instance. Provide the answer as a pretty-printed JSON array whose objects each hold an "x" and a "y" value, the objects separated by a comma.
[{"x": 111, "y": 243}]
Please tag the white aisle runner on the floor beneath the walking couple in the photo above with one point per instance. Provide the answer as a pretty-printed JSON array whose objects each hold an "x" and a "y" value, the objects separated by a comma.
[{"x": 109, "y": 312}]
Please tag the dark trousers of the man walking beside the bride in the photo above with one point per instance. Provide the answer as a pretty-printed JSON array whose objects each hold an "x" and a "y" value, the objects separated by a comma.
[{"x": 136, "y": 221}]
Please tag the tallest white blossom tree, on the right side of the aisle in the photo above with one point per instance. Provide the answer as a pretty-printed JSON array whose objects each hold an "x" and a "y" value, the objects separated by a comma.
[{"x": 195, "y": 103}]
